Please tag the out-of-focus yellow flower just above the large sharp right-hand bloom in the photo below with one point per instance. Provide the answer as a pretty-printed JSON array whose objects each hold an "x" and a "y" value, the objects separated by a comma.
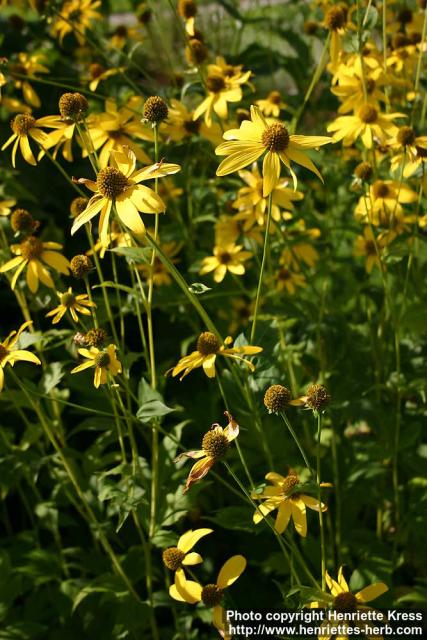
[{"x": 222, "y": 88}]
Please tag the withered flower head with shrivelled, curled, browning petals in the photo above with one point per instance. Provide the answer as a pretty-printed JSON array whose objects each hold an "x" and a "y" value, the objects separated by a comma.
[{"x": 214, "y": 446}]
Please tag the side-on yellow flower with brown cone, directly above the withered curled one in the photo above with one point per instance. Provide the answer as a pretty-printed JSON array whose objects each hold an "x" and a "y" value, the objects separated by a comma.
[{"x": 208, "y": 348}]
